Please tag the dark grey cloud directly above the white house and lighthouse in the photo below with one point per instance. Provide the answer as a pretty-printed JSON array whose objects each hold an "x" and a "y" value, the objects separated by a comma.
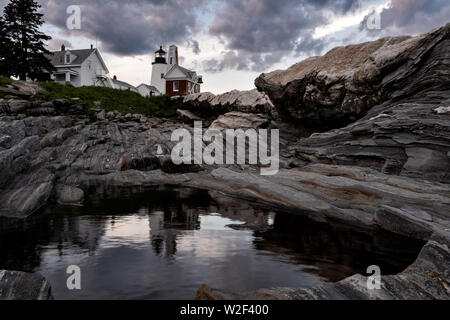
[{"x": 128, "y": 27}]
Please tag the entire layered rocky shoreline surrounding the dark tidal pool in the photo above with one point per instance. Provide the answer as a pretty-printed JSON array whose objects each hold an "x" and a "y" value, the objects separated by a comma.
[{"x": 379, "y": 155}]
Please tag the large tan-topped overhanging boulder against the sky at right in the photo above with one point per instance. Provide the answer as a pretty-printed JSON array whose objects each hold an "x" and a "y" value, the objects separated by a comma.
[{"x": 341, "y": 86}]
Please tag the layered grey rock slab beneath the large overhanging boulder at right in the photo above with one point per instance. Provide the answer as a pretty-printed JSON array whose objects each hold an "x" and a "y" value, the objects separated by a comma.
[{"x": 412, "y": 141}]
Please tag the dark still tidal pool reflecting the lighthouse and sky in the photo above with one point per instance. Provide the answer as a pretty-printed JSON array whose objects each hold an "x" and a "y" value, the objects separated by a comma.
[{"x": 164, "y": 244}]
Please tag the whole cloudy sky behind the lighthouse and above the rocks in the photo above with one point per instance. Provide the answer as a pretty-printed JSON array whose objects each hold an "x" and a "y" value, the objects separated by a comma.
[{"x": 230, "y": 42}]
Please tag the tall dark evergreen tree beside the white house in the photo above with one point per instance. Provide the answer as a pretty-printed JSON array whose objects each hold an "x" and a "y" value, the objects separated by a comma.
[{"x": 28, "y": 52}]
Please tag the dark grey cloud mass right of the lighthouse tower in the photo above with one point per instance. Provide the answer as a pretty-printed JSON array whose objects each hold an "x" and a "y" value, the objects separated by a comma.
[{"x": 260, "y": 32}]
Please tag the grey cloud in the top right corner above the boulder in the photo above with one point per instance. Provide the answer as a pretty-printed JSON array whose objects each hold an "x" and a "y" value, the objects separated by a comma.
[{"x": 410, "y": 17}]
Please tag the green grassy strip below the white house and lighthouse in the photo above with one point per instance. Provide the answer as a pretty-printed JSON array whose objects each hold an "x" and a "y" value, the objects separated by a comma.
[{"x": 112, "y": 99}]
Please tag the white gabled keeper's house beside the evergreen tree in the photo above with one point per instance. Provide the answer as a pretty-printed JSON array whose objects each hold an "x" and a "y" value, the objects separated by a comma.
[{"x": 80, "y": 68}]
